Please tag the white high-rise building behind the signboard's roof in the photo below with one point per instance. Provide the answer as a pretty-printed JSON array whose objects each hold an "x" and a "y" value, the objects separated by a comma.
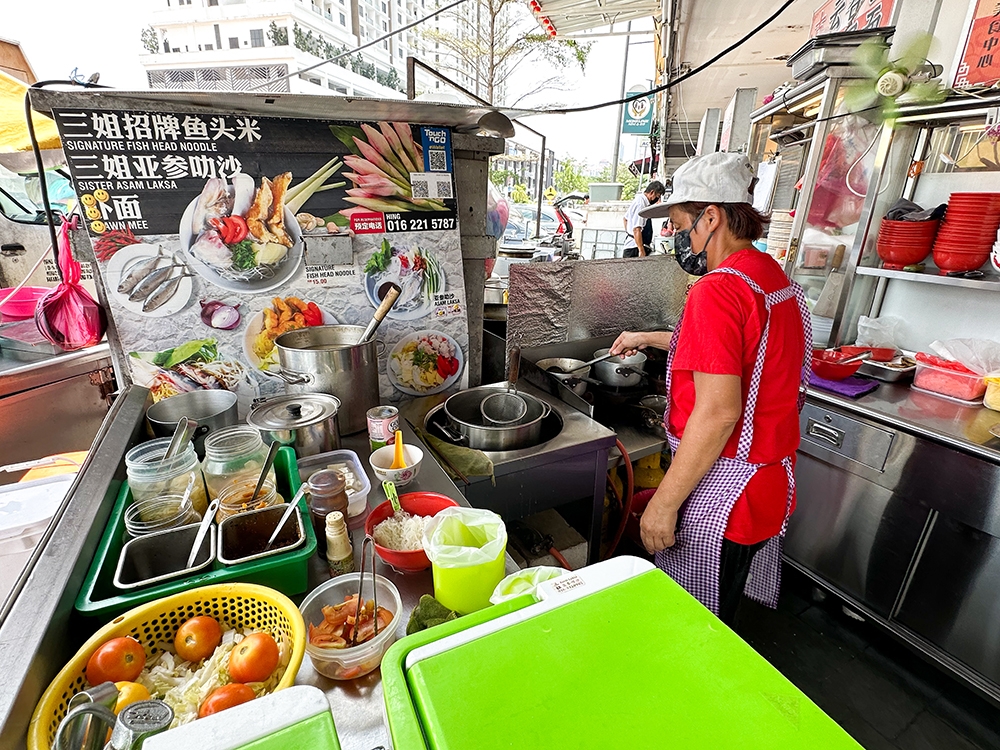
[{"x": 237, "y": 45}]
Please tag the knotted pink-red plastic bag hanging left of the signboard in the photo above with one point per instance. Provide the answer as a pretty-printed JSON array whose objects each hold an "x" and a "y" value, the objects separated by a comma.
[{"x": 68, "y": 316}]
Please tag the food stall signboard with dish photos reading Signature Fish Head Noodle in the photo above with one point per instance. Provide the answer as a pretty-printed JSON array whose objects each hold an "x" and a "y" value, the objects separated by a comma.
[{"x": 215, "y": 233}]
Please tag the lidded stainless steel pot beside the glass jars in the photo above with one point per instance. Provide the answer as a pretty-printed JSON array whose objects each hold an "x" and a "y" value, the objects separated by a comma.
[{"x": 305, "y": 421}]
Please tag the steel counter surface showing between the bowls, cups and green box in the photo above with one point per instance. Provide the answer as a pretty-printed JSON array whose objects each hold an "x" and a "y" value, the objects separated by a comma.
[{"x": 357, "y": 704}]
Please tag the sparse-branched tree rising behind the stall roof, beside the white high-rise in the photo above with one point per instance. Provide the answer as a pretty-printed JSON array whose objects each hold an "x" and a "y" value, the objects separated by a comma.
[{"x": 494, "y": 37}]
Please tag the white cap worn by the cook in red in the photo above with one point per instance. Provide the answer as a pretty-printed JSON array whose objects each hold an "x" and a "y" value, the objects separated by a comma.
[{"x": 718, "y": 177}]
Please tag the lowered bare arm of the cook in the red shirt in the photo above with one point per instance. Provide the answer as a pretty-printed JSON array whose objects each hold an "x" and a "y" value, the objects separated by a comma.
[{"x": 717, "y": 408}]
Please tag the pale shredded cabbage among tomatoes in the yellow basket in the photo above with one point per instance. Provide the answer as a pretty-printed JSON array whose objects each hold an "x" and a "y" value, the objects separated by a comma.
[{"x": 184, "y": 686}]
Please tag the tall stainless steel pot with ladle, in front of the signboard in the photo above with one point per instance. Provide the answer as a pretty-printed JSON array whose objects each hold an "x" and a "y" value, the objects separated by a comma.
[{"x": 328, "y": 359}]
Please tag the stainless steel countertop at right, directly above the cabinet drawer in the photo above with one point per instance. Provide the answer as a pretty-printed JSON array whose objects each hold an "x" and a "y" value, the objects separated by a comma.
[{"x": 964, "y": 428}]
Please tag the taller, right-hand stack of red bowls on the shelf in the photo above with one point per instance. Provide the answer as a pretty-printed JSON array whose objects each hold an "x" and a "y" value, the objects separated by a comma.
[{"x": 968, "y": 232}]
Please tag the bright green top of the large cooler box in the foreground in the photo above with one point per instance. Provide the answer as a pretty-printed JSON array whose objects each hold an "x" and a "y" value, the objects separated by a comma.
[{"x": 640, "y": 664}]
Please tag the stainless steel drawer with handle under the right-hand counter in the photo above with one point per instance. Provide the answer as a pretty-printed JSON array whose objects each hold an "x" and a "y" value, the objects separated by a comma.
[{"x": 844, "y": 436}]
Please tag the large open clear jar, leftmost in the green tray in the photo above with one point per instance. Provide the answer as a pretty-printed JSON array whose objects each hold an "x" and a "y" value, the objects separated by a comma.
[{"x": 149, "y": 476}]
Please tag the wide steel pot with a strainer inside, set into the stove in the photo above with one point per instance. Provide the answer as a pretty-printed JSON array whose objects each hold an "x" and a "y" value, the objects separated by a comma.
[{"x": 467, "y": 426}]
